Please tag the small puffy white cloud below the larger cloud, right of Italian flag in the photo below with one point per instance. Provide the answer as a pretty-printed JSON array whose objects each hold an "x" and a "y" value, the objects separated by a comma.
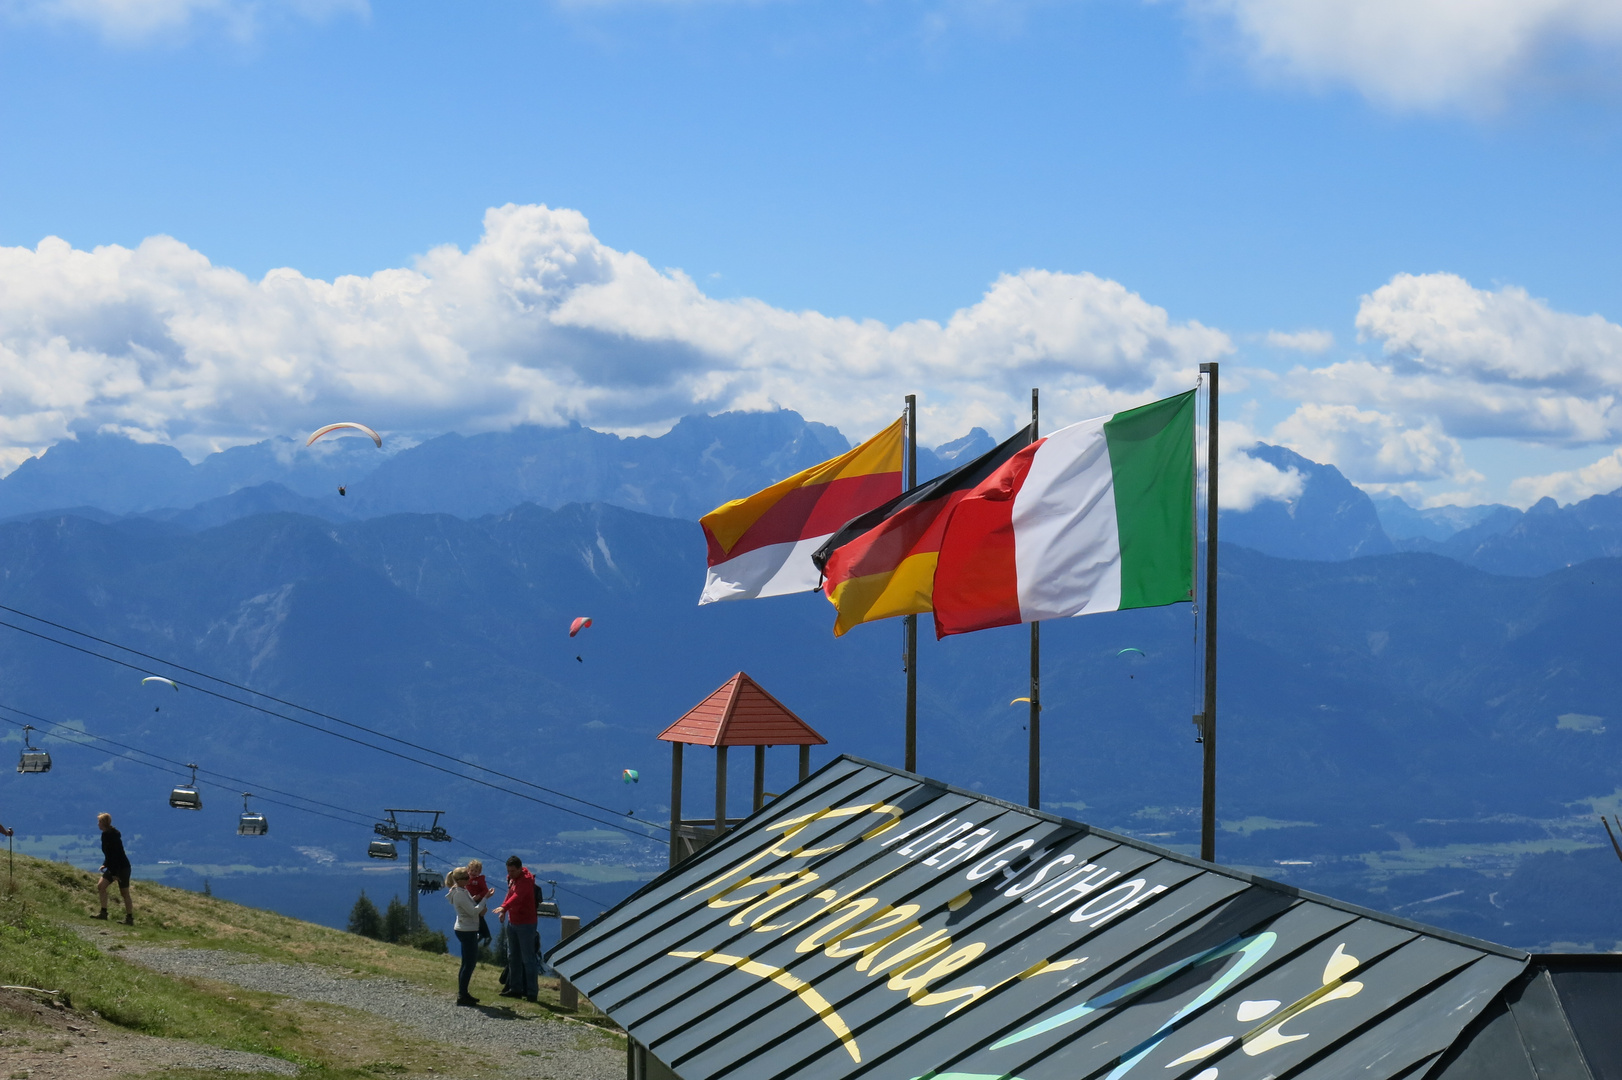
[{"x": 1373, "y": 447}]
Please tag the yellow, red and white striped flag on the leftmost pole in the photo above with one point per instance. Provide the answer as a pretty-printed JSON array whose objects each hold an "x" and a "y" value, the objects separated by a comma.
[{"x": 762, "y": 546}]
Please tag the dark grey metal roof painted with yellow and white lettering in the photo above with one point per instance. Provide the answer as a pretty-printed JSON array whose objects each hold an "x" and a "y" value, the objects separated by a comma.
[{"x": 875, "y": 924}]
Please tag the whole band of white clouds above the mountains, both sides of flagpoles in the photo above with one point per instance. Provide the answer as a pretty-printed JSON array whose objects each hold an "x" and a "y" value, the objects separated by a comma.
[{"x": 543, "y": 324}]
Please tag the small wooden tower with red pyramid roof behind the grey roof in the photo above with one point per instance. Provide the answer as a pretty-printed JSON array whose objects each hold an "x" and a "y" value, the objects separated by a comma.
[{"x": 739, "y": 714}]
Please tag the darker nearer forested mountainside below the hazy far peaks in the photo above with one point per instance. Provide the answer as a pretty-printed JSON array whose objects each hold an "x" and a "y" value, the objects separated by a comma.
[{"x": 1367, "y": 703}]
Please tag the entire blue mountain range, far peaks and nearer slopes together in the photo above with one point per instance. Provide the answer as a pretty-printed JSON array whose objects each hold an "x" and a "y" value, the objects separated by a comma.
[{"x": 1402, "y": 729}]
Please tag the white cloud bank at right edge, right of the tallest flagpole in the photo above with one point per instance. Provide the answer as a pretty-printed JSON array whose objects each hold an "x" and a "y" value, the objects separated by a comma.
[{"x": 1457, "y": 362}]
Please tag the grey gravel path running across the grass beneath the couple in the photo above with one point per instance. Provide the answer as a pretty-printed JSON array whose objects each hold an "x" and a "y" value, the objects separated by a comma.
[{"x": 528, "y": 1047}]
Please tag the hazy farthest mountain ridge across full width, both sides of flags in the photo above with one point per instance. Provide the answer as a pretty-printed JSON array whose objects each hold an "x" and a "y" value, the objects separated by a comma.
[{"x": 705, "y": 461}]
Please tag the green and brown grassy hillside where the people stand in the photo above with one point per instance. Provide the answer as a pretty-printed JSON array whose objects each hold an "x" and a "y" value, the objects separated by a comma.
[{"x": 41, "y": 945}]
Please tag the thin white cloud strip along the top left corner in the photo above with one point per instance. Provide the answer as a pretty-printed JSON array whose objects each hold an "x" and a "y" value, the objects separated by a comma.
[{"x": 132, "y": 22}]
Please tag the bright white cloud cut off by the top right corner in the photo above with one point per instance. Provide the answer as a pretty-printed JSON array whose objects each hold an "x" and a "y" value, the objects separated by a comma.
[{"x": 1414, "y": 54}]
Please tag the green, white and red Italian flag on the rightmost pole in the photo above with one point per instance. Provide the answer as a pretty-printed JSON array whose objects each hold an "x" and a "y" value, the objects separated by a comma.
[{"x": 1097, "y": 516}]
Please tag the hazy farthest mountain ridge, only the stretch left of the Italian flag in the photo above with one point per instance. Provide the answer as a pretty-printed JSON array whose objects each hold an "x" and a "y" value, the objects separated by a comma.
[{"x": 687, "y": 473}]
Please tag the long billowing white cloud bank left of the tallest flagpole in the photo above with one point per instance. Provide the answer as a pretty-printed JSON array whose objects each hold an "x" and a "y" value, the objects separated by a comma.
[{"x": 538, "y": 322}]
